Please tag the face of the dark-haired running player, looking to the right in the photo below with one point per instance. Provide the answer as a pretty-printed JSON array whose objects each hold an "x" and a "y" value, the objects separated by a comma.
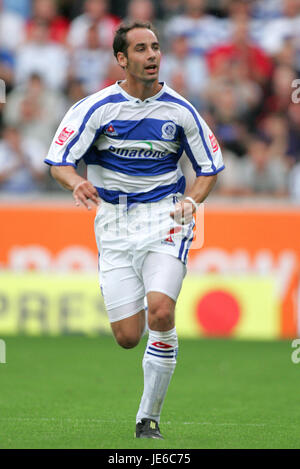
[{"x": 143, "y": 55}]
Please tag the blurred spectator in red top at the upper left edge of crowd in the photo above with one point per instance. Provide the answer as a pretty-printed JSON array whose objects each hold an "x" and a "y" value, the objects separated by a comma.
[{"x": 46, "y": 10}]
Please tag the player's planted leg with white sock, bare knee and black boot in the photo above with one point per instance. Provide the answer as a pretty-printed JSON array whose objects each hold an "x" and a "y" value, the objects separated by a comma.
[{"x": 163, "y": 275}]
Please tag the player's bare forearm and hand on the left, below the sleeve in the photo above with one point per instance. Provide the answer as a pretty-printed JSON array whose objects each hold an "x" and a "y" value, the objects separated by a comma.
[{"x": 83, "y": 190}]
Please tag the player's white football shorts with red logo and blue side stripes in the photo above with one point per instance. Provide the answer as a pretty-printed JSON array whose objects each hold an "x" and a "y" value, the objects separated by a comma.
[{"x": 141, "y": 249}]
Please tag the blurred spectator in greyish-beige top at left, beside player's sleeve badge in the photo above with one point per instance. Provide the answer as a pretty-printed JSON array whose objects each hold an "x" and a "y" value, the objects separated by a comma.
[{"x": 35, "y": 109}]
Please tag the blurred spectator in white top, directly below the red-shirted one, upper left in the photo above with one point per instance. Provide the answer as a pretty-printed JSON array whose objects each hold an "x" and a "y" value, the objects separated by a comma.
[{"x": 43, "y": 56}]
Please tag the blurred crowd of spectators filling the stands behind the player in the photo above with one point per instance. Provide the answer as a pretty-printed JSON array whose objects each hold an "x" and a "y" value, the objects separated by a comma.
[{"x": 236, "y": 61}]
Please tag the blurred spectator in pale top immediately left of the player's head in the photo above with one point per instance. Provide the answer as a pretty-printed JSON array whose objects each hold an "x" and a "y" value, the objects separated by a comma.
[{"x": 93, "y": 58}]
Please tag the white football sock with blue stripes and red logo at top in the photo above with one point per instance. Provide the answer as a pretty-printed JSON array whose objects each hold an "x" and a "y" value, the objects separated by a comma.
[{"x": 158, "y": 363}]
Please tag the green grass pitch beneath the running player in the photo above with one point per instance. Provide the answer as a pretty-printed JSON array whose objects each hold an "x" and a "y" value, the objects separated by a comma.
[{"x": 79, "y": 392}]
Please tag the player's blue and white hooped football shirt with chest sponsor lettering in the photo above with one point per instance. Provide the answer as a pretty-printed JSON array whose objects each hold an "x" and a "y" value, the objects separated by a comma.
[{"x": 132, "y": 147}]
